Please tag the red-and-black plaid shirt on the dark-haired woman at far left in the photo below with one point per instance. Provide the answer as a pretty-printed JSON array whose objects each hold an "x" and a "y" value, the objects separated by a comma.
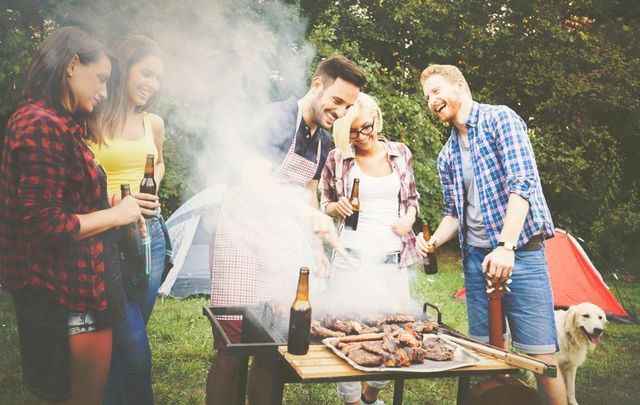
[{"x": 47, "y": 177}]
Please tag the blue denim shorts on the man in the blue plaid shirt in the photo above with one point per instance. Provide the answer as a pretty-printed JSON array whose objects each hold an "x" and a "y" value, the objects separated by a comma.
[{"x": 528, "y": 307}]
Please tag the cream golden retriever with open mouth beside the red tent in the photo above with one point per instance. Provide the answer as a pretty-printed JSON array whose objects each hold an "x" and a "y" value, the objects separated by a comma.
[{"x": 579, "y": 329}]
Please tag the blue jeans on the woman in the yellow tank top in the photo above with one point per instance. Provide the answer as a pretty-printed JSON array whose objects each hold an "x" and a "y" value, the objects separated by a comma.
[{"x": 130, "y": 373}]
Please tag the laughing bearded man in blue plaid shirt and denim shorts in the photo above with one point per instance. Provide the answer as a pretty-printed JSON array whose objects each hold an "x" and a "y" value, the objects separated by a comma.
[{"x": 494, "y": 202}]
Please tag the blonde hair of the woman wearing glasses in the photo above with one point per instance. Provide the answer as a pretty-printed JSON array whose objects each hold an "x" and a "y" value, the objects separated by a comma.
[{"x": 342, "y": 126}]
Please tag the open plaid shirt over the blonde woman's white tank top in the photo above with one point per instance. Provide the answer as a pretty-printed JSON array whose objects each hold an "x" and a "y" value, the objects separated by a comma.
[{"x": 335, "y": 177}]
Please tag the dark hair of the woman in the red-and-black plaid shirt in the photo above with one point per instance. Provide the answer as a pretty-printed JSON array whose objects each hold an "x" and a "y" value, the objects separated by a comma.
[{"x": 46, "y": 75}]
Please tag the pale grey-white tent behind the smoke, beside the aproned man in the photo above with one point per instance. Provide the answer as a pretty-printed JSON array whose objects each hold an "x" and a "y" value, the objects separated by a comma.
[{"x": 190, "y": 228}]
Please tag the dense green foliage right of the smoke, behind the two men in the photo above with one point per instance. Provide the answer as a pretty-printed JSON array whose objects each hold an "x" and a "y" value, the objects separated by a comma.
[{"x": 568, "y": 68}]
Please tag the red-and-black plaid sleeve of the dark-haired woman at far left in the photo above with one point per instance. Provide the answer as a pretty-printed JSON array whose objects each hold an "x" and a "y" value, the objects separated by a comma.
[{"x": 43, "y": 173}]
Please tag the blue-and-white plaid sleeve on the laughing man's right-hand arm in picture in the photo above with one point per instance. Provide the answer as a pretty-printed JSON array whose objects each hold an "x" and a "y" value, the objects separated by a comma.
[{"x": 516, "y": 152}]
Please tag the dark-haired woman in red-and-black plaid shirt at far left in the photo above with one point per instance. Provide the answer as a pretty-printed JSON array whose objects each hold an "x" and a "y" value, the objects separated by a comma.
[{"x": 57, "y": 253}]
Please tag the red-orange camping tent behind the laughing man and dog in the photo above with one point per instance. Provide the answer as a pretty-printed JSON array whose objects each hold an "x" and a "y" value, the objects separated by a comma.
[{"x": 574, "y": 279}]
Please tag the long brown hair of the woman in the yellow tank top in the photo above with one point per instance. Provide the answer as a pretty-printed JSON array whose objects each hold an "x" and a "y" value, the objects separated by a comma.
[{"x": 128, "y": 51}]
